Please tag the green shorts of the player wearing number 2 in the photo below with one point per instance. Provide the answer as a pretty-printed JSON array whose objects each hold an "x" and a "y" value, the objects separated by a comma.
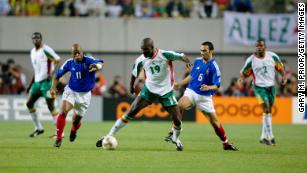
[{"x": 265, "y": 94}]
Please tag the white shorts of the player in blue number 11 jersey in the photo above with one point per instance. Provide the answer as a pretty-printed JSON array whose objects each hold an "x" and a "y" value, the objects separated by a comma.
[{"x": 80, "y": 100}]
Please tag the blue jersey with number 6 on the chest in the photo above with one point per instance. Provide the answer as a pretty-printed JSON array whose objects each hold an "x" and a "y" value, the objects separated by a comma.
[{"x": 204, "y": 73}]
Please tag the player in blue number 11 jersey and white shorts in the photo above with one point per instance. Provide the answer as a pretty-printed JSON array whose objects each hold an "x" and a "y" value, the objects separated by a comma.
[{"x": 77, "y": 93}]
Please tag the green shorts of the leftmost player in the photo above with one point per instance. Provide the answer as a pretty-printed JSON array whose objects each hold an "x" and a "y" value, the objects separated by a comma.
[{"x": 41, "y": 88}]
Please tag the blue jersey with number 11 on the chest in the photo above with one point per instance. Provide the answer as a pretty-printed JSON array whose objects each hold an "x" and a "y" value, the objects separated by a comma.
[{"x": 81, "y": 79}]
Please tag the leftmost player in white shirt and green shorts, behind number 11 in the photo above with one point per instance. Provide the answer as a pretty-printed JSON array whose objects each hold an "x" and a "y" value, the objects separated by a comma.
[{"x": 45, "y": 63}]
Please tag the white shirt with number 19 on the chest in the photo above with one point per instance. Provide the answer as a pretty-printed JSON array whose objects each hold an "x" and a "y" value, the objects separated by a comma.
[{"x": 159, "y": 70}]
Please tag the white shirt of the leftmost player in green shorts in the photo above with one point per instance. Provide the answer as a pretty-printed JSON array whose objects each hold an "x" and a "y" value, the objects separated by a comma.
[{"x": 42, "y": 62}]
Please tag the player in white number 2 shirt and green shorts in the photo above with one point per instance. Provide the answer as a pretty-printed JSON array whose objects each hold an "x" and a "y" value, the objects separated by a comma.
[{"x": 262, "y": 65}]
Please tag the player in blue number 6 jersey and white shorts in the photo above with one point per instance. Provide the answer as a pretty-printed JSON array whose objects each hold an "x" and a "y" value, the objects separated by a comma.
[{"x": 203, "y": 81}]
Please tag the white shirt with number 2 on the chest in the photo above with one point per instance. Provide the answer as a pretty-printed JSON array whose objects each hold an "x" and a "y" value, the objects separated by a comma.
[{"x": 262, "y": 69}]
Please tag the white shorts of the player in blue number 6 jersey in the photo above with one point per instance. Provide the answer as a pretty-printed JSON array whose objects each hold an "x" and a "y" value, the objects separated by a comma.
[{"x": 204, "y": 103}]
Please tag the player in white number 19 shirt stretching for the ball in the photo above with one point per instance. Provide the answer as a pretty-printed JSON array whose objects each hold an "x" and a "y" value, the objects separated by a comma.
[{"x": 159, "y": 73}]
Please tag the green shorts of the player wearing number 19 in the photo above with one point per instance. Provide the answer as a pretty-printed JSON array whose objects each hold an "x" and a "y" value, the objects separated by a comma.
[{"x": 166, "y": 100}]
